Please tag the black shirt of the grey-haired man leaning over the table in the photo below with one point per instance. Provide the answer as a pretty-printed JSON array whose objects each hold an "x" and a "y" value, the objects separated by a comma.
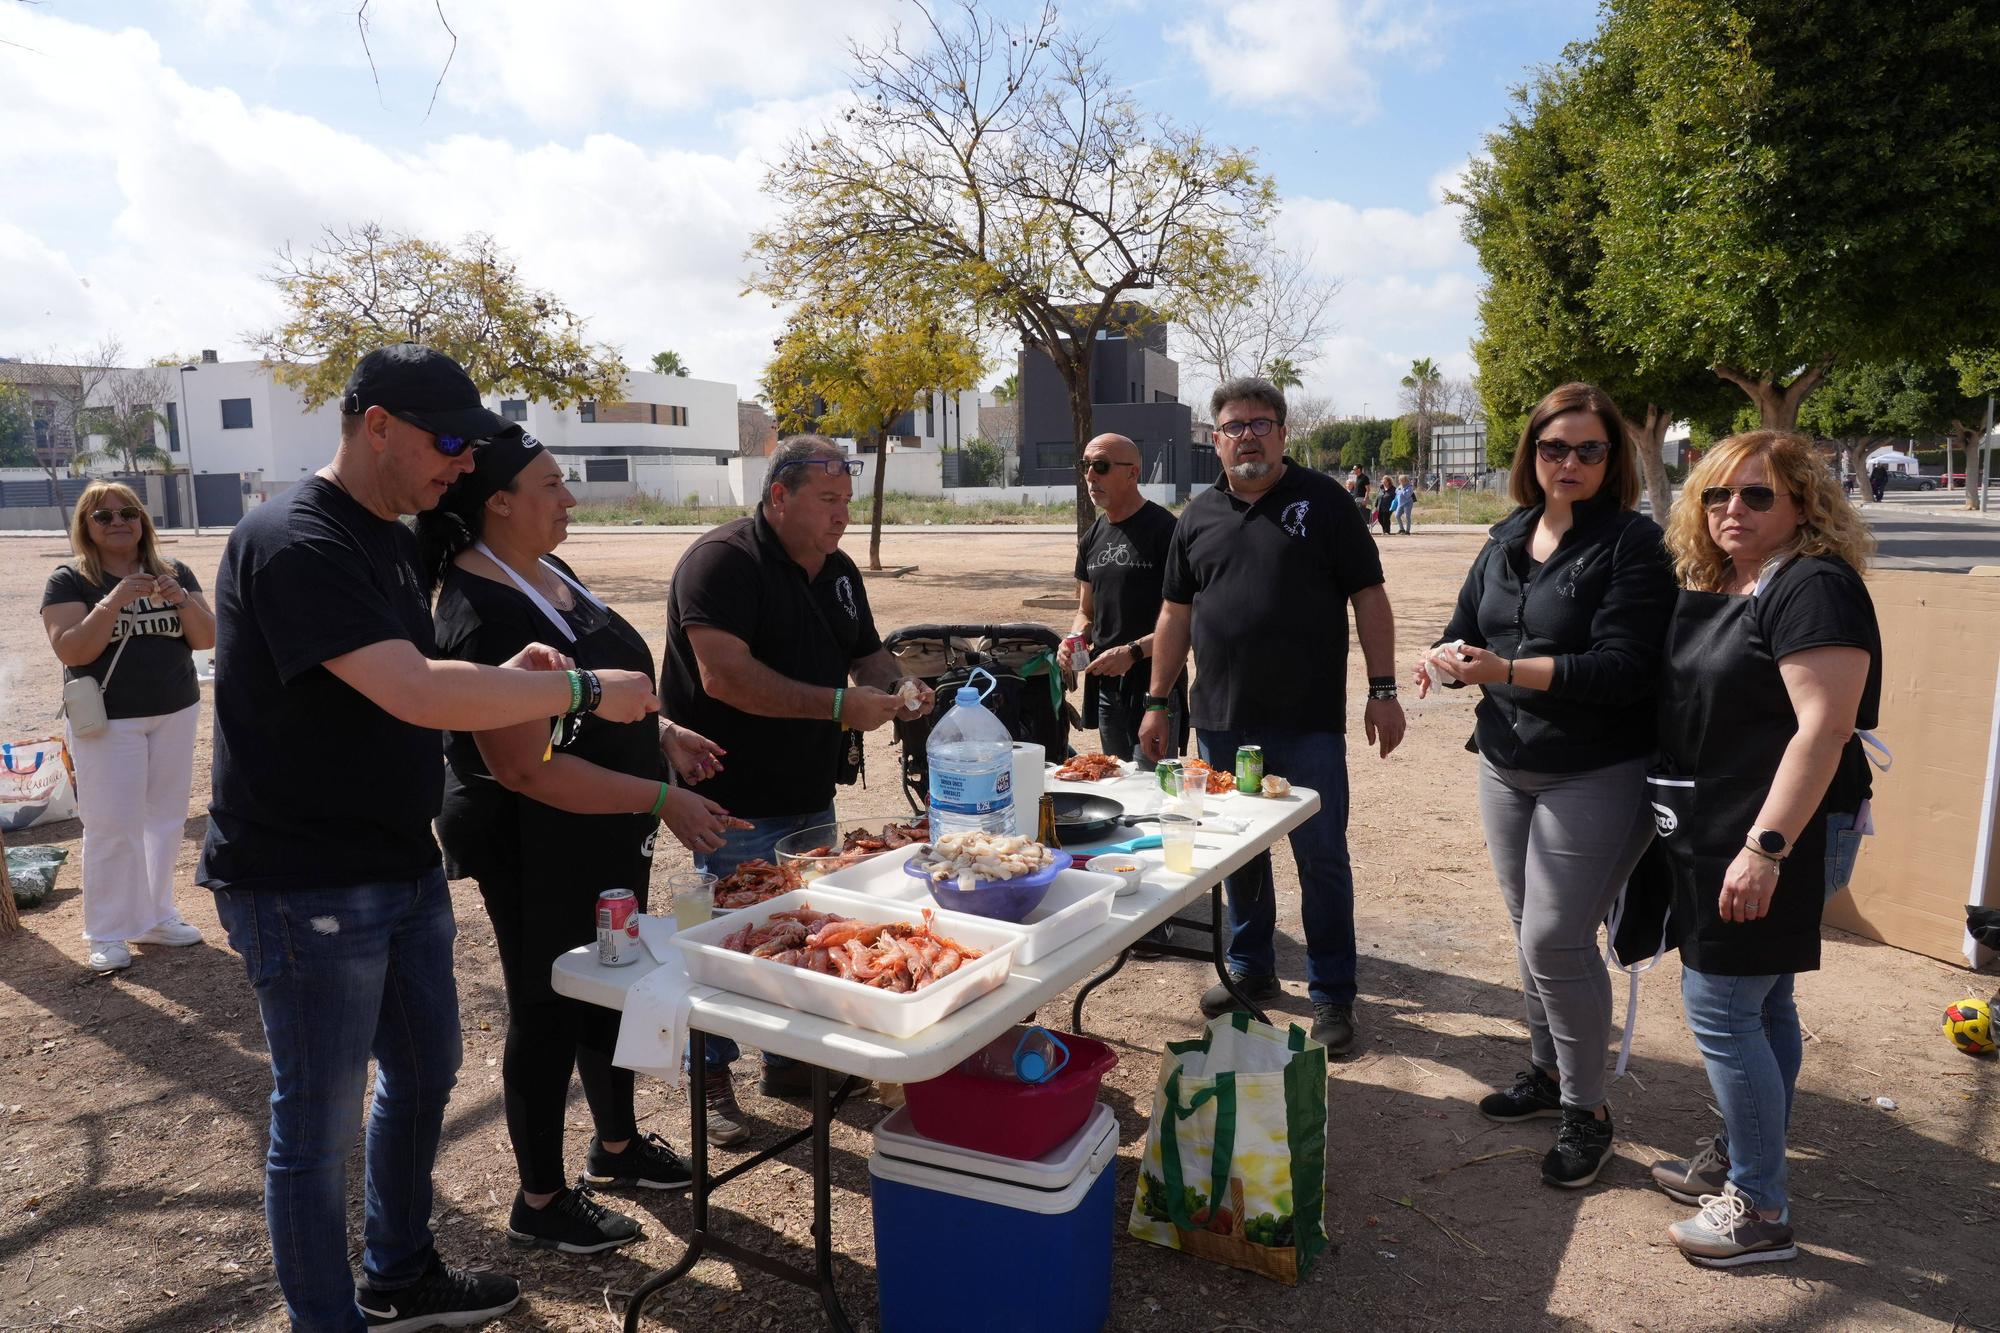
[{"x": 741, "y": 581}]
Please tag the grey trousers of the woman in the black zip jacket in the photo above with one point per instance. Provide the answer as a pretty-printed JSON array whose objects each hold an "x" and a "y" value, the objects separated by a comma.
[{"x": 1563, "y": 846}]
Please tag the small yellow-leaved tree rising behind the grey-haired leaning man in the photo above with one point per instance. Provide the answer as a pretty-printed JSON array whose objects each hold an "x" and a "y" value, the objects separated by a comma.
[{"x": 859, "y": 365}]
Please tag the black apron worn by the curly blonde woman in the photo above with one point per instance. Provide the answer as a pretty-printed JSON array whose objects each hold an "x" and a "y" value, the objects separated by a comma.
[{"x": 1725, "y": 722}]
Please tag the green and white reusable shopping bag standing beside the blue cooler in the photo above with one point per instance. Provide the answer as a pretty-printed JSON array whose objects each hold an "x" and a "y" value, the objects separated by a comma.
[{"x": 1235, "y": 1166}]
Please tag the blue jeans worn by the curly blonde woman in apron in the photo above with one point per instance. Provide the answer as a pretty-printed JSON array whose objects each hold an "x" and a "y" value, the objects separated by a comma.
[{"x": 1747, "y": 1030}]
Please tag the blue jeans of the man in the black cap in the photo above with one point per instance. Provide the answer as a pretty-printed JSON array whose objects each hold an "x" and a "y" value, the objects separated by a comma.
[{"x": 341, "y": 976}]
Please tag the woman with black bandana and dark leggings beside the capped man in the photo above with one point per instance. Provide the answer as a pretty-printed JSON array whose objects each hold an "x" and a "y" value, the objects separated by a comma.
[{"x": 547, "y": 822}]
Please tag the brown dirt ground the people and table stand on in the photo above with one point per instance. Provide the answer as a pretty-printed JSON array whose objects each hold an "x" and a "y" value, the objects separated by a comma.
[{"x": 133, "y": 1108}]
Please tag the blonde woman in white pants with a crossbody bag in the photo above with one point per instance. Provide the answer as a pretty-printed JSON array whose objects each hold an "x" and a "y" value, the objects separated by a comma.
[{"x": 131, "y": 621}]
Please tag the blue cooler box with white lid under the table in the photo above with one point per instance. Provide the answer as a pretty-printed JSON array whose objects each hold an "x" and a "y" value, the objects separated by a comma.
[{"x": 997, "y": 1242}]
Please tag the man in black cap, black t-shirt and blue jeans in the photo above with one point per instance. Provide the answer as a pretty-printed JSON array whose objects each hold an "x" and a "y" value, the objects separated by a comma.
[{"x": 327, "y": 776}]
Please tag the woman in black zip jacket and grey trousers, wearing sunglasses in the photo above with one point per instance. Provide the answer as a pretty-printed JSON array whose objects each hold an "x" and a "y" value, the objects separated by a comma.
[{"x": 1563, "y": 621}]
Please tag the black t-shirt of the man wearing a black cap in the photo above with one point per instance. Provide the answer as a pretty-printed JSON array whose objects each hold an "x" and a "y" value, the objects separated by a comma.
[{"x": 317, "y": 788}]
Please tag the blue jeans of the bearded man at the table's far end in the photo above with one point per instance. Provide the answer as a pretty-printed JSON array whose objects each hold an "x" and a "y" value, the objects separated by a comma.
[{"x": 1317, "y": 760}]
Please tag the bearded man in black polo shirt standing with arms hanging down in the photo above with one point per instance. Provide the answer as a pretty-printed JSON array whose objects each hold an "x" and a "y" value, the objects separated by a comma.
[{"x": 1259, "y": 577}]
